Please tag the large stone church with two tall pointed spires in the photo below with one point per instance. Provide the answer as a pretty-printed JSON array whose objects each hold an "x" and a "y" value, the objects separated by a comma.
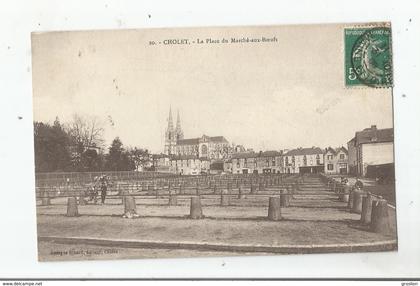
[{"x": 209, "y": 147}]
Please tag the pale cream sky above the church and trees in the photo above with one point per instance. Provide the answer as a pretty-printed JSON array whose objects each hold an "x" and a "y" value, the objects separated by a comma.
[{"x": 276, "y": 95}]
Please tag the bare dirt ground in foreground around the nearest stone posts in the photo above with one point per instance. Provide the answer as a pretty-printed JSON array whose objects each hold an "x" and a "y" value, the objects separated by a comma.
[{"x": 315, "y": 218}]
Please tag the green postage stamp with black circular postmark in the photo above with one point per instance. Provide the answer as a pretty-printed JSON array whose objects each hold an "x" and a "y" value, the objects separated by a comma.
[{"x": 368, "y": 56}]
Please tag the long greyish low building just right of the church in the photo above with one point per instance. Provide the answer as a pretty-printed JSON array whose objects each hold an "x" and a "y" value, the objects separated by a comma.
[{"x": 257, "y": 163}]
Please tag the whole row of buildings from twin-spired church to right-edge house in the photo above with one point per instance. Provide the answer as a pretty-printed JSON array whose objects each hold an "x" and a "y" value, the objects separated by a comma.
[{"x": 214, "y": 154}]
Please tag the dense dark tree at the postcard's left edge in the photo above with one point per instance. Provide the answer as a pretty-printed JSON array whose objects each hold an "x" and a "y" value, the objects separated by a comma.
[{"x": 51, "y": 144}]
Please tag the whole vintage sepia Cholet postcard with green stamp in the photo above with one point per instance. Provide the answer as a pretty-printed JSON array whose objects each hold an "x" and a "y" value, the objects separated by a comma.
[{"x": 220, "y": 141}]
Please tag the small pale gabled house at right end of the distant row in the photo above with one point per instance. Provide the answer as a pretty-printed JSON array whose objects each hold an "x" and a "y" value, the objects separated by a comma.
[{"x": 336, "y": 161}]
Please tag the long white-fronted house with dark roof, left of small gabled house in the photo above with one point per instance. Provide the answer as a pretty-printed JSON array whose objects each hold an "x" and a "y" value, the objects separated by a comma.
[{"x": 304, "y": 160}]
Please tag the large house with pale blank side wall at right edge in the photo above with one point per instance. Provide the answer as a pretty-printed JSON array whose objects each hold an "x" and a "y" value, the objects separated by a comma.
[{"x": 370, "y": 147}]
